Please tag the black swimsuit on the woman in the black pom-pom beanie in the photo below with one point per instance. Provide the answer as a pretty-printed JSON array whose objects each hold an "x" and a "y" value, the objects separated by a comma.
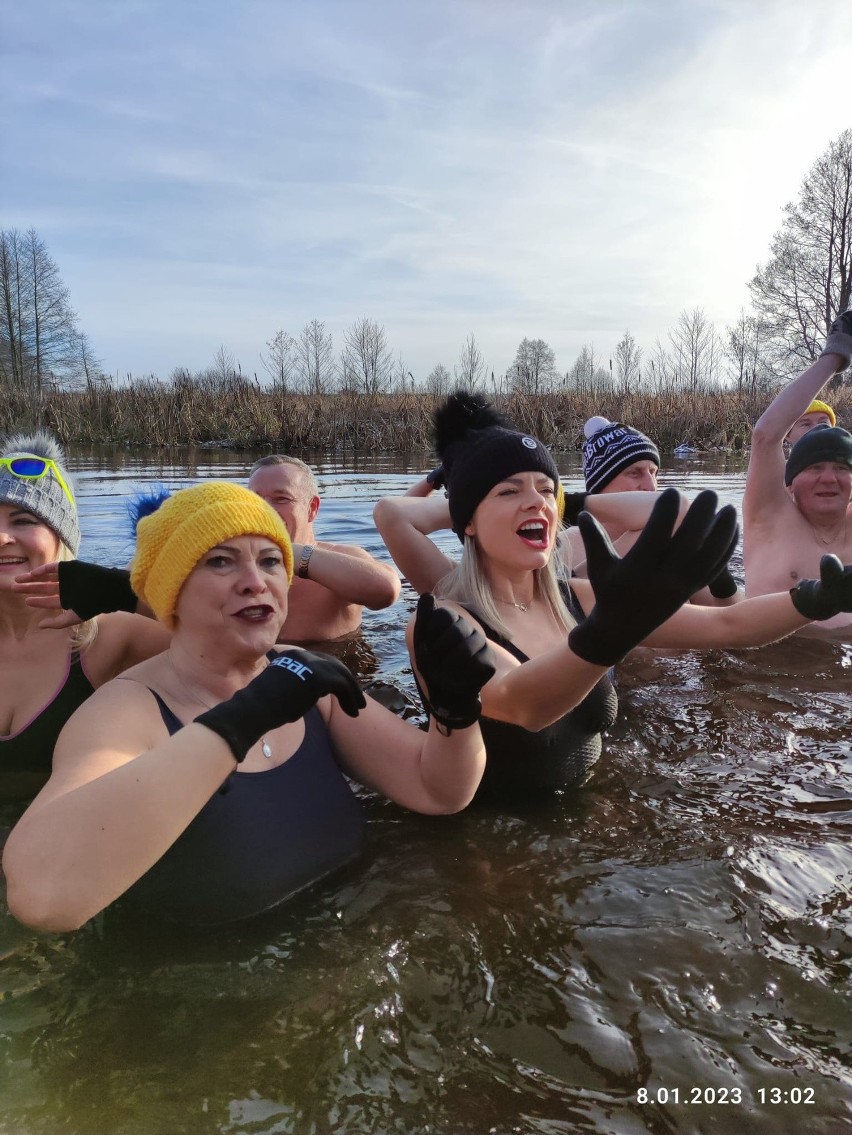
[{"x": 520, "y": 762}]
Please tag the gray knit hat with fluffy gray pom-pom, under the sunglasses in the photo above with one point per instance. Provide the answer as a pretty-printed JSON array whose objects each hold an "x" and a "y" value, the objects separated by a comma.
[{"x": 44, "y": 497}]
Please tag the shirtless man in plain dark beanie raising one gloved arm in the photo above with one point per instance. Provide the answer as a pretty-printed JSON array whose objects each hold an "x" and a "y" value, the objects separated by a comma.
[{"x": 796, "y": 512}]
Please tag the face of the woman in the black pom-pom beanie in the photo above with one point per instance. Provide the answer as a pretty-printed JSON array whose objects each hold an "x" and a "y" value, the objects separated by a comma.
[{"x": 518, "y": 523}]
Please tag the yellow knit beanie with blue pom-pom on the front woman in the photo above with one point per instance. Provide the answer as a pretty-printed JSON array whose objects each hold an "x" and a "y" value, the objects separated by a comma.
[{"x": 173, "y": 540}]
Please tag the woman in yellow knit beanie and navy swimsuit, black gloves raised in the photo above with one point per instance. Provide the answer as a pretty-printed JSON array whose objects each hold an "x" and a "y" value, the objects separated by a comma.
[{"x": 210, "y": 783}]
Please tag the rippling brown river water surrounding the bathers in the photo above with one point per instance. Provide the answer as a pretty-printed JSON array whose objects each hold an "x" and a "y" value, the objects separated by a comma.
[{"x": 682, "y": 926}]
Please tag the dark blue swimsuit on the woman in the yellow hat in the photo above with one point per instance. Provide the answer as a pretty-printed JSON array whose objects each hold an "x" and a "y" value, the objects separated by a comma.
[{"x": 259, "y": 840}]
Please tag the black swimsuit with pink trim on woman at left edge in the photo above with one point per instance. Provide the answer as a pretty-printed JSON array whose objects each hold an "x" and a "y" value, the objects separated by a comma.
[{"x": 27, "y": 756}]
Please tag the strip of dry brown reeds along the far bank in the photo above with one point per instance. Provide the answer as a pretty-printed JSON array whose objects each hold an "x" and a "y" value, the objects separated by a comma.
[{"x": 244, "y": 415}]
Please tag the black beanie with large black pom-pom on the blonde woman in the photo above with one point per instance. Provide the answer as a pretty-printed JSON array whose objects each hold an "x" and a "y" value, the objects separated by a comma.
[{"x": 479, "y": 450}]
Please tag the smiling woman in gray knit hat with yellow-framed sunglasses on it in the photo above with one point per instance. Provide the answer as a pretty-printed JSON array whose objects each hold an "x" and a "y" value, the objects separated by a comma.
[{"x": 47, "y": 671}]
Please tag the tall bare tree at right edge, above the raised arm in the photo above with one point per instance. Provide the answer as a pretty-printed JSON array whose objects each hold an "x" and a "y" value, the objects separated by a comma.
[{"x": 808, "y": 280}]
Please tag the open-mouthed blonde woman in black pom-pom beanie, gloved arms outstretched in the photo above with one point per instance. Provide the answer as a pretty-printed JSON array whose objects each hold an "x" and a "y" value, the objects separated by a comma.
[{"x": 550, "y": 700}]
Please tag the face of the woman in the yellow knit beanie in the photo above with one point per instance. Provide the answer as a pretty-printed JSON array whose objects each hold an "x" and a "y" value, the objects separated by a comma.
[{"x": 238, "y": 591}]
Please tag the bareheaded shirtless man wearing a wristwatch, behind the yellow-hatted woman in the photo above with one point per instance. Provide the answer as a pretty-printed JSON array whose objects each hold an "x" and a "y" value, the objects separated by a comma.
[{"x": 332, "y": 583}]
